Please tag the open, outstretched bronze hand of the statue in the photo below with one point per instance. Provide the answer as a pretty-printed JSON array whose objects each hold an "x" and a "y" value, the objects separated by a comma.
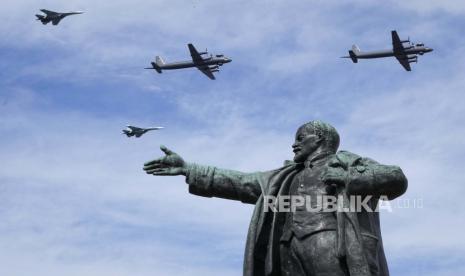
[{"x": 170, "y": 164}]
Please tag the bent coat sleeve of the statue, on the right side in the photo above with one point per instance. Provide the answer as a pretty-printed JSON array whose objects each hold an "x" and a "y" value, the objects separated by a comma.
[{"x": 368, "y": 177}]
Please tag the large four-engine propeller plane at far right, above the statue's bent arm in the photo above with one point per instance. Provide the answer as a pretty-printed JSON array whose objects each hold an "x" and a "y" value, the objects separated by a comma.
[{"x": 405, "y": 54}]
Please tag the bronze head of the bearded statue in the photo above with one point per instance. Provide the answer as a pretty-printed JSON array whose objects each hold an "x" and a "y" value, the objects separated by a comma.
[{"x": 314, "y": 137}]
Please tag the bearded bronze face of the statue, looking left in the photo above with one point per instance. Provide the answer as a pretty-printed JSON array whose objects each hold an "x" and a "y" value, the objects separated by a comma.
[{"x": 306, "y": 143}]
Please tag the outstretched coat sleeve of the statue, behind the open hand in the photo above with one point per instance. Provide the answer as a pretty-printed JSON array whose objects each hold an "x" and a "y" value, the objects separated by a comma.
[{"x": 210, "y": 181}]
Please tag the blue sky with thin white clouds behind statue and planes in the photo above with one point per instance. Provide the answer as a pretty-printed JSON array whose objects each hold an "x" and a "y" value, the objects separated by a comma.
[{"x": 73, "y": 197}]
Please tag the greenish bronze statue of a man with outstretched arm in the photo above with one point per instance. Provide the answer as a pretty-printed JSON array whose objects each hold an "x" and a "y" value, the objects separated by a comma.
[{"x": 303, "y": 242}]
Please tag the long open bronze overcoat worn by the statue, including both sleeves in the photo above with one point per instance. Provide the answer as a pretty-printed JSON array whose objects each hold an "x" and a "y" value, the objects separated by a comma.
[{"x": 364, "y": 252}]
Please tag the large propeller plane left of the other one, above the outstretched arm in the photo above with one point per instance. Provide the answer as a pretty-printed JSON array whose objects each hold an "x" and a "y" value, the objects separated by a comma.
[{"x": 207, "y": 65}]
